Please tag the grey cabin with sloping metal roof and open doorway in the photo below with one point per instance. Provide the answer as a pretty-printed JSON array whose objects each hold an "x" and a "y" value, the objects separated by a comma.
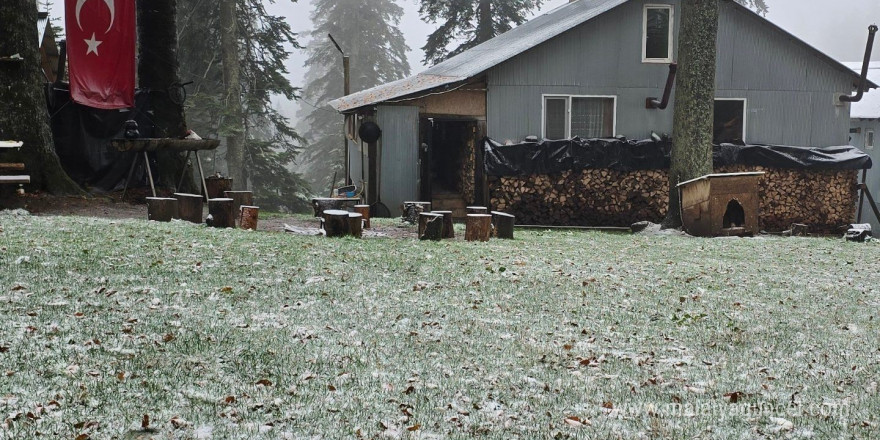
[{"x": 585, "y": 69}]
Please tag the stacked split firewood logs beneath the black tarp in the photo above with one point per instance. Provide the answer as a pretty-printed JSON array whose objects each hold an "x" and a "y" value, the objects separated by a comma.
[{"x": 824, "y": 200}]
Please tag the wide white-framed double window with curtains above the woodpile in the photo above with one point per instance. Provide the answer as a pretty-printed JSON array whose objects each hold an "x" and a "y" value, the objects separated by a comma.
[{"x": 567, "y": 116}]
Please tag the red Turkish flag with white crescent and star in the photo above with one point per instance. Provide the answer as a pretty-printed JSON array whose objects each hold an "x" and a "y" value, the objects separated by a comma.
[{"x": 101, "y": 52}]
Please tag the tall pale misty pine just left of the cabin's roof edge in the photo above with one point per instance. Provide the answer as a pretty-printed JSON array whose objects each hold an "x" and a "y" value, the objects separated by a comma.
[{"x": 367, "y": 30}]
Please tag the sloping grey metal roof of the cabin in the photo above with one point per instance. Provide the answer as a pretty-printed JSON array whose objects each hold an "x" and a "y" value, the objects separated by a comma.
[{"x": 477, "y": 60}]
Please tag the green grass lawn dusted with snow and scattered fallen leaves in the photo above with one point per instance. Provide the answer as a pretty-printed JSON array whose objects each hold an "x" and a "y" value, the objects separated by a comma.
[{"x": 233, "y": 334}]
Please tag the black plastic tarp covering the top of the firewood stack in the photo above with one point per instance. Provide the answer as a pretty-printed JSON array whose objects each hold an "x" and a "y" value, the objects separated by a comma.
[{"x": 550, "y": 157}]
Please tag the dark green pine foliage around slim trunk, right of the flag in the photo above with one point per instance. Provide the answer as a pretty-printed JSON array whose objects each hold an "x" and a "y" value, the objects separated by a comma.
[{"x": 269, "y": 144}]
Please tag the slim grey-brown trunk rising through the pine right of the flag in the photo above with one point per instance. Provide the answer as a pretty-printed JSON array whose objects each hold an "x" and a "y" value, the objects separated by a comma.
[{"x": 234, "y": 120}]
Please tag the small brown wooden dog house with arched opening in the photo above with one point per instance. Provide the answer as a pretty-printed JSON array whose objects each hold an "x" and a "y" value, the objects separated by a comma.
[{"x": 720, "y": 204}]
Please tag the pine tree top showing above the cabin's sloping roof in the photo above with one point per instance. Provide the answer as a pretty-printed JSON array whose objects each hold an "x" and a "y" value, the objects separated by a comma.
[{"x": 471, "y": 21}]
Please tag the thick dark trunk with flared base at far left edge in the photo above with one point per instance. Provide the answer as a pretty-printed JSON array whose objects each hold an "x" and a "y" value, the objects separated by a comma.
[{"x": 23, "y": 113}]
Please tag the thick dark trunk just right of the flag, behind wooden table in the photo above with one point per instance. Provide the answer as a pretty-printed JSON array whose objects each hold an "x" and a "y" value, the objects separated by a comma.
[{"x": 158, "y": 67}]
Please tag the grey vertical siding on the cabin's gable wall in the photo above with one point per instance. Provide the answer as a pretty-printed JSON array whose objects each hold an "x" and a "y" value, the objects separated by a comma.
[{"x": 790, "y": 91}]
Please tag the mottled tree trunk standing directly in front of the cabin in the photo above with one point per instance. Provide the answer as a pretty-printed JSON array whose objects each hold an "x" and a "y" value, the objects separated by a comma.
[{"x": 694, "y": 100}]
